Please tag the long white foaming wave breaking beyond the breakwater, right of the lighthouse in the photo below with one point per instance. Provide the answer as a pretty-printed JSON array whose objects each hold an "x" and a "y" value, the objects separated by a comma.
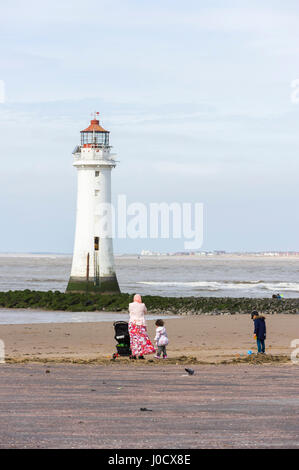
[{"x": 229, "y": 285}]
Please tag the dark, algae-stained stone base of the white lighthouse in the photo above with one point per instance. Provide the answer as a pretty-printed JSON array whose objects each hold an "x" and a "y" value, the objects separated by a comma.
[{"x": 103, "y": 285}]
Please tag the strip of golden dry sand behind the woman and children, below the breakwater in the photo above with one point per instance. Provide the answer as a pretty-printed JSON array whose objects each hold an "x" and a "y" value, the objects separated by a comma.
[{"x": 208, "y": 338}]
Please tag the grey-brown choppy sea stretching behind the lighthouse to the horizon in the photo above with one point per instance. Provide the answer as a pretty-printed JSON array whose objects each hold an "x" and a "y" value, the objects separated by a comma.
[{"x": 178, "y": 276}]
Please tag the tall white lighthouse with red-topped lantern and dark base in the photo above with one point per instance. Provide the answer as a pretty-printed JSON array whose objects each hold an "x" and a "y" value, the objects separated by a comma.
[{"x": 93, "y": 261}]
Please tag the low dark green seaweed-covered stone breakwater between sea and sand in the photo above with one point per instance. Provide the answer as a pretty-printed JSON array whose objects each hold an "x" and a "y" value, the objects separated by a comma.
[{"x": 165, "y": 305}]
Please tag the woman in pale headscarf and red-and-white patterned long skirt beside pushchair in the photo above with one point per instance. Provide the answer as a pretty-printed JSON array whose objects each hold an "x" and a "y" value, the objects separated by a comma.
[{"x": 139, "y": 340}]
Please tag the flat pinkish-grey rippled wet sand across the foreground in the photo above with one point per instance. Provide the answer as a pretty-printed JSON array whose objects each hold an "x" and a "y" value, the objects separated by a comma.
[{"x": 89, "y": 406}]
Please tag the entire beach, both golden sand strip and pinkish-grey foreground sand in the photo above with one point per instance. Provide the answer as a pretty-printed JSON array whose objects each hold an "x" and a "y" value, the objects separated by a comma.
[{"x": 59, "y": 405}]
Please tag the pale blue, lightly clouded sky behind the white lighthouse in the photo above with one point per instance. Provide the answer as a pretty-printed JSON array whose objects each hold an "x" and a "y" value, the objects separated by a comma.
[{"x": 196, "y": 95}]
